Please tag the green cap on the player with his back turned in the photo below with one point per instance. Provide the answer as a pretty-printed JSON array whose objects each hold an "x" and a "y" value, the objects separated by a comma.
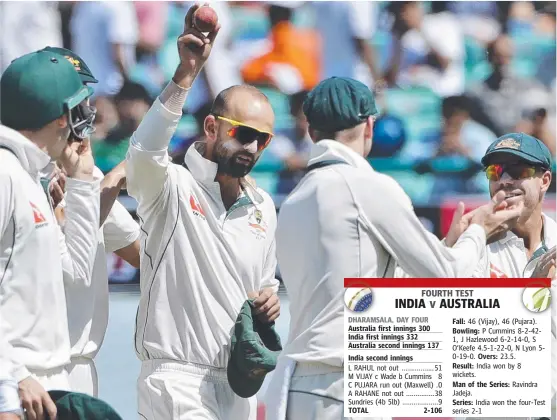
[{"x": 339, "y": 103}]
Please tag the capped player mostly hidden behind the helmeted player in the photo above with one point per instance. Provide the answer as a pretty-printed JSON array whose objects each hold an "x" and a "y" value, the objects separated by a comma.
[{"x": 87, "y": 304}]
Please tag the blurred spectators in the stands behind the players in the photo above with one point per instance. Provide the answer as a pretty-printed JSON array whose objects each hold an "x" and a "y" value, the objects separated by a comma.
[{"x": 449, "y": 76}]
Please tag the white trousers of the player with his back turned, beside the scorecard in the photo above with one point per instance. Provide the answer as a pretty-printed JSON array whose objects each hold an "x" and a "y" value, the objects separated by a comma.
[{"x": 316, "y": 396}]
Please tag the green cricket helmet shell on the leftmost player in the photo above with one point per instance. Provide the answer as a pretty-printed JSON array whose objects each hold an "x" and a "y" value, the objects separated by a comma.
[{"x": 38, "y": 88}]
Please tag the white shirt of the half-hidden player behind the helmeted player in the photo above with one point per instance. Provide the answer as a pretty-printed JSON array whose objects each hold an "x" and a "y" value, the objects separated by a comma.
[{"x": 88, "y": 304}]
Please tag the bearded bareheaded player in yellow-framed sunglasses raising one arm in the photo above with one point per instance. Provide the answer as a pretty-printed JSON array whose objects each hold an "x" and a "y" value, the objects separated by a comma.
[{"x": 207, "y": 243}]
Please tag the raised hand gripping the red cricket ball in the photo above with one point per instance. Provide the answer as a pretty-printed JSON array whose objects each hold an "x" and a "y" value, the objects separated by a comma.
[{"x": 194, "y": 46}]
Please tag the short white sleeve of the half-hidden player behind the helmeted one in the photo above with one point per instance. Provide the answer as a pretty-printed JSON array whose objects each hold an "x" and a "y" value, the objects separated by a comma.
[{"x": 119, "y": 229}]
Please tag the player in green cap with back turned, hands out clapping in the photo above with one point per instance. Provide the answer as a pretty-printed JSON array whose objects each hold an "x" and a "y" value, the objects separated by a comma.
[{"x": 346, "y": 220}]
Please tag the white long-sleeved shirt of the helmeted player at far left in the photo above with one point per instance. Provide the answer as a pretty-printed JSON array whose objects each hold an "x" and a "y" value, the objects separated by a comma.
[{"x": 34, "y": 254}]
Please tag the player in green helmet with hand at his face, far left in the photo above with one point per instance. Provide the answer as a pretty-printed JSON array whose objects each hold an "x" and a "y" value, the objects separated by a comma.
[{"x": 42, "y": 102}]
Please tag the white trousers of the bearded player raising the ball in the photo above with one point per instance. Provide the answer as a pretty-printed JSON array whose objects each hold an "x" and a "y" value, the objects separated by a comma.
[{"x": 171, "y": 390}]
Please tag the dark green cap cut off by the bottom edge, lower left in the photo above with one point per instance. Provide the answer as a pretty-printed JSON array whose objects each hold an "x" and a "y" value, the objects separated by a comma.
[{"x": 77, "y": 406}]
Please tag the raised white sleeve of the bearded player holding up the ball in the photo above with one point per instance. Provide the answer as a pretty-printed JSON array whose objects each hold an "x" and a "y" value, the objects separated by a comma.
[{"x": 147, "y": 160}]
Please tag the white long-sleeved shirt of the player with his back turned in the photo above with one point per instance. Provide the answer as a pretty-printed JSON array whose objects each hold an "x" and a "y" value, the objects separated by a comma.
[{"x": 346, "y": 220}]
